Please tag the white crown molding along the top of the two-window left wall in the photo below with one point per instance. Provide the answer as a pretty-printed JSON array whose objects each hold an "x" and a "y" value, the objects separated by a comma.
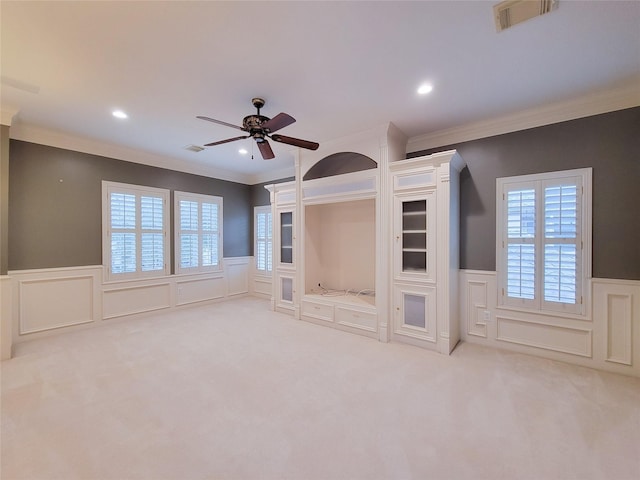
[{"x": 29, "y": 133}]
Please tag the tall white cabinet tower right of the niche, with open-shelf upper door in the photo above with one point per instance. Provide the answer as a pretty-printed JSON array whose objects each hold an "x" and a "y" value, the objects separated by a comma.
[{"x": 425, "y": 250}]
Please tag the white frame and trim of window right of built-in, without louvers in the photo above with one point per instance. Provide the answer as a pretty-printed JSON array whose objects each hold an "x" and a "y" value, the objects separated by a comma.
[{"x": 581, "y": 309}]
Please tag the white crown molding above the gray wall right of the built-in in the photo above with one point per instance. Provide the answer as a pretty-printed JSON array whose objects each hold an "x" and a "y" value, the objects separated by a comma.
[{"x": 585, "y": 106}]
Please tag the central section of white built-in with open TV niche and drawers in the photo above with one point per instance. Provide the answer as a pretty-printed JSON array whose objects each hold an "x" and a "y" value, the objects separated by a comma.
[{"x": 338, "y": 270}]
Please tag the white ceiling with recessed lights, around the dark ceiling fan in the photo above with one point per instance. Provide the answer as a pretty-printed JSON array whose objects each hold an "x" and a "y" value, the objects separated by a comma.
[{"x": 337, "y": 67}]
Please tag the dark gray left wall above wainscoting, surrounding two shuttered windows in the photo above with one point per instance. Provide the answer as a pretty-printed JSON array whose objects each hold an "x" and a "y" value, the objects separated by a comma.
[{"x": 55, "y": 204}]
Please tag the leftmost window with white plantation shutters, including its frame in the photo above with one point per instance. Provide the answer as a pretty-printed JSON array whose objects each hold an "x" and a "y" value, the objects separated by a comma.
[{"x": 135, "y": 239}]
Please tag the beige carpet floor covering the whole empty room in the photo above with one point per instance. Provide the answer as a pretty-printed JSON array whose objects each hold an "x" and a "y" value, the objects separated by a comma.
[{"x": 234, "y": 391}]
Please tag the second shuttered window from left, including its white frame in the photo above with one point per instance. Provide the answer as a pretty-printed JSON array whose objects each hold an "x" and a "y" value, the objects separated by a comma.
[{"x": 198, "y": 232}]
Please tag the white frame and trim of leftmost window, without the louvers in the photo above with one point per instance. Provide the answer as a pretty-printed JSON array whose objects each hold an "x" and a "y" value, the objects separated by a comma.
[{"x": 138, "y": 190}]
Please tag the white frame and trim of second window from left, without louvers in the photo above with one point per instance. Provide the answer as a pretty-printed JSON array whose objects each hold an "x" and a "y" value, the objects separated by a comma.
[{"x": 200, "y": 199}]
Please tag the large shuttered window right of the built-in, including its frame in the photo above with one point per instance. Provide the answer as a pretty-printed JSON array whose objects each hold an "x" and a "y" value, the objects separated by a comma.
[{"x": 544, "y": 241}]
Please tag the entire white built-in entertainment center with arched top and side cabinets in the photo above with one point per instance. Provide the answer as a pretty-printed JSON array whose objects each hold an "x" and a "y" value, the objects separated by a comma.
[{"x": 378, "y": 253}]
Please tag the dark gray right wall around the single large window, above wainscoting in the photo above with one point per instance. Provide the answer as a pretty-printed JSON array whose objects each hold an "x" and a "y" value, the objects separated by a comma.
[{"x": 609, "y": 143}]
